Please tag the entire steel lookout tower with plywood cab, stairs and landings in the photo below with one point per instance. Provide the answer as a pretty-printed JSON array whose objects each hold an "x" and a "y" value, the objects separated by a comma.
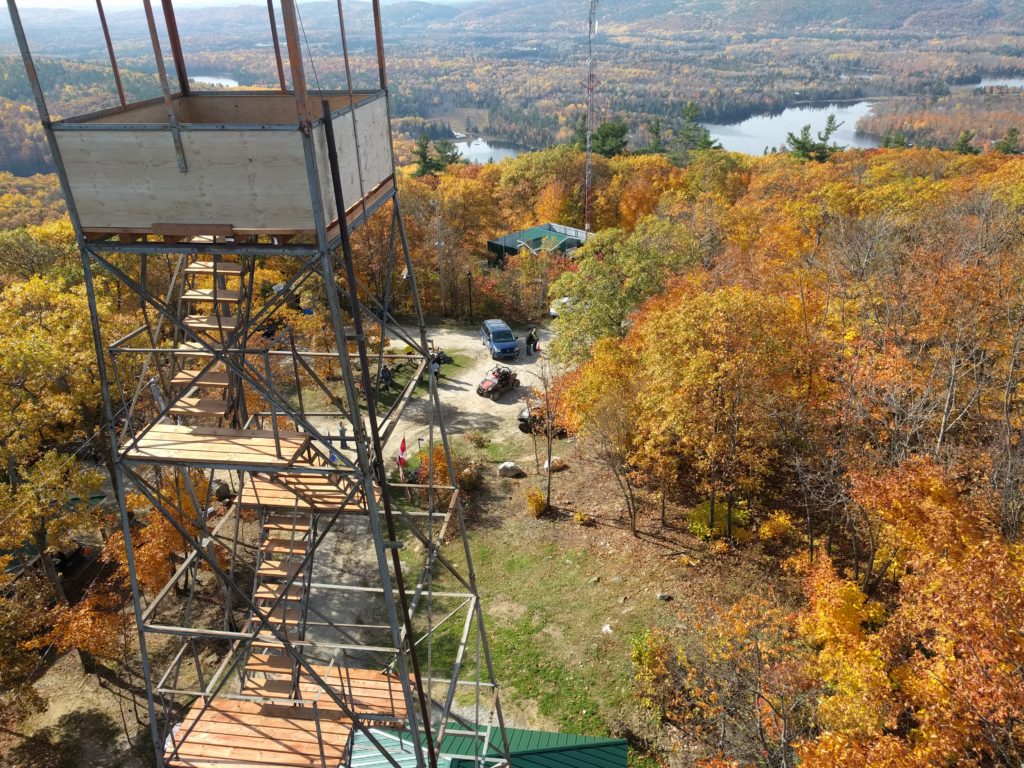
[{"x": 290, "y": 634}]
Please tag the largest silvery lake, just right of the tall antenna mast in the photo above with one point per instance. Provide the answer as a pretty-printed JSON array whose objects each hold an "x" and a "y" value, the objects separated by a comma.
[{"x": 754, "y": 135}]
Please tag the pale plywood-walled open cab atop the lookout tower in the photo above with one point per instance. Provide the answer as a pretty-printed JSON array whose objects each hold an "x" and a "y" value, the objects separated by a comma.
[{"x": 245, "y": 164}]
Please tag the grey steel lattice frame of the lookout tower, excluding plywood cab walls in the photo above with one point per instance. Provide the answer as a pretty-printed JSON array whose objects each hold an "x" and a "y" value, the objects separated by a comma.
[{"x": 277, "y": 459}]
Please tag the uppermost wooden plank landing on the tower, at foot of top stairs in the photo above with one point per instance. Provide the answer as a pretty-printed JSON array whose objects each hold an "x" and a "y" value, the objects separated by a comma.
[{"x": 198, "y": 446}]
